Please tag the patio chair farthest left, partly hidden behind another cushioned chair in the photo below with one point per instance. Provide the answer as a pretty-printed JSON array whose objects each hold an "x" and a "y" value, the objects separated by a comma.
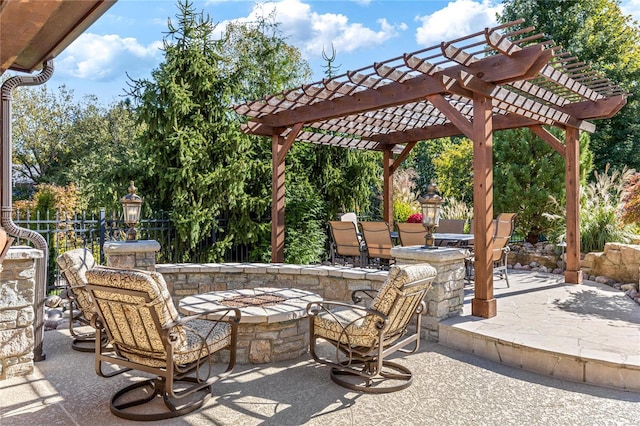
[{"x": 73, "y": 266}]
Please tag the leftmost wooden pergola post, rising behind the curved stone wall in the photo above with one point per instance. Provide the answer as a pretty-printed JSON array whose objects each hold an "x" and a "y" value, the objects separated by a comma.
[{"x": 277, "y": 199}]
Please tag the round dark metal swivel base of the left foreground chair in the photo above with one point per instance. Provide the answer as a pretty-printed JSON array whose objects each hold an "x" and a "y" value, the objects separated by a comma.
[{"x": 154, "y": 389}]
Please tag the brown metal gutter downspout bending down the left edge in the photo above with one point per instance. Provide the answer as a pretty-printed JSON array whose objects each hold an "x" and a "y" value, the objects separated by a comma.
[{"x": 7, "y": 203}]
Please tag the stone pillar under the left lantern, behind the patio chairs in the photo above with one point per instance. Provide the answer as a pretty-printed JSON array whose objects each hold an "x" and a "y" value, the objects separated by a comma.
[{"x": 140, "y": 254}]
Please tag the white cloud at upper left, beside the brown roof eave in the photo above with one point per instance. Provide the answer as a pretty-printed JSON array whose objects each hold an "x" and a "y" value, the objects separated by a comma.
[{"x": 104, "y": 57}]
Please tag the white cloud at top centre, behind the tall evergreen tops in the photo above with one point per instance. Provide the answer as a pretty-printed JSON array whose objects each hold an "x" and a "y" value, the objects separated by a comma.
[{"x": 311, "y": 31}]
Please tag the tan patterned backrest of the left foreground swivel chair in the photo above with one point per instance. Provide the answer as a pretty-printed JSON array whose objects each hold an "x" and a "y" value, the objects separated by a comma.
[{"x": 136, "y": 309}]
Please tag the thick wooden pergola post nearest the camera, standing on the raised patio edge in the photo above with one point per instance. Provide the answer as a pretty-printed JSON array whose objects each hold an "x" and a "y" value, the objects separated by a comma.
[{"x": 483, "y": 304}]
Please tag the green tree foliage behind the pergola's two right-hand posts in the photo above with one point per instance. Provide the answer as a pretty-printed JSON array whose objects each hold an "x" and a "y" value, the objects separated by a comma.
[{"x": 528, "y": 175}]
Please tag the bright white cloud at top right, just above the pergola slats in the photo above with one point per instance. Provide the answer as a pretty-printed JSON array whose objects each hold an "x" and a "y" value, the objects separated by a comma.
[{"x": 458, "y": 18}]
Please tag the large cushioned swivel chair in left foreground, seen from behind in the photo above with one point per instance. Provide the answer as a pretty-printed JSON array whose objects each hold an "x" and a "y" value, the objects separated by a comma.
[{"x": 135, "y": 310}]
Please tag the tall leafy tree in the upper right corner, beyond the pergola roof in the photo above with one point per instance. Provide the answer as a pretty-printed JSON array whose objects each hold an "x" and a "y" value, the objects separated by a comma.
[{"x": 598, "y": 33}]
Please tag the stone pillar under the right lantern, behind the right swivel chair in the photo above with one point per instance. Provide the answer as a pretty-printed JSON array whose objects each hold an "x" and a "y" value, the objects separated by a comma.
[{"x": 446, "y": 295}]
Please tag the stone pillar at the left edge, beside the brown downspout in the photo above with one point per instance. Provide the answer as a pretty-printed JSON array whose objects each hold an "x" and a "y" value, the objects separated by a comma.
[{"x": 17, "y": 298}]
